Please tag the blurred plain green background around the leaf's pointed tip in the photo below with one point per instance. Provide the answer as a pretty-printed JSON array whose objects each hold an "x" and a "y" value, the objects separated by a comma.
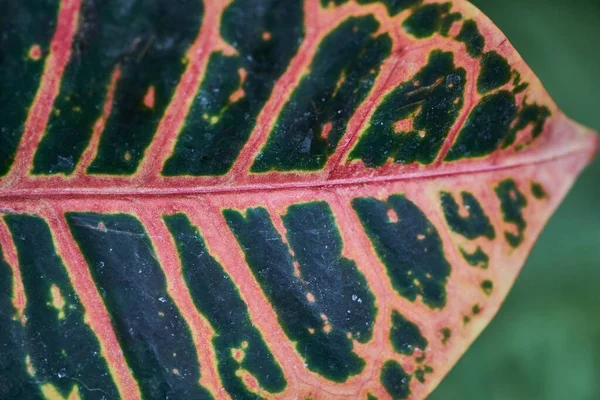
[{"x": 545, "y": 341}]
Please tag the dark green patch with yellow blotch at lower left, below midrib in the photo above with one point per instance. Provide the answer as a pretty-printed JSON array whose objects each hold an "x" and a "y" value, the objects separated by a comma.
[{"x": 63, "y": 350}]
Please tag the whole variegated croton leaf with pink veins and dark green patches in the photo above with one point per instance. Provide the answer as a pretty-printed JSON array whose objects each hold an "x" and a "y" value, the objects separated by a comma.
[{"x": 262, "y": 198}]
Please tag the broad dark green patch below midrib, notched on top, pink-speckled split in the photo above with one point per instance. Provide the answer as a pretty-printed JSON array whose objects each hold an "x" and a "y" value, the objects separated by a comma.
[{"x": 326, "y": 300}]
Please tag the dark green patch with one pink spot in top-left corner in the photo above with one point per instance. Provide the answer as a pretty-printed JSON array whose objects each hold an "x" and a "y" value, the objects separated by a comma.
[{"x": 24, "y": 24}]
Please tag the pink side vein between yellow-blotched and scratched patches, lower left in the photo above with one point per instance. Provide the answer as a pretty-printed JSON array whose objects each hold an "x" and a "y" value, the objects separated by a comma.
[{"x": 96, "y": 314}]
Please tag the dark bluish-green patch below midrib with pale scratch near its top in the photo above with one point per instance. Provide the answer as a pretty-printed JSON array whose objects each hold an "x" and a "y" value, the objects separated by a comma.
[{"x": 155, "y": 339}]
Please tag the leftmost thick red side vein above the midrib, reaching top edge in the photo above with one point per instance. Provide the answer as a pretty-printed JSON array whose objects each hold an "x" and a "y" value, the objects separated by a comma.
[{"x": 37, "y": 119}]
